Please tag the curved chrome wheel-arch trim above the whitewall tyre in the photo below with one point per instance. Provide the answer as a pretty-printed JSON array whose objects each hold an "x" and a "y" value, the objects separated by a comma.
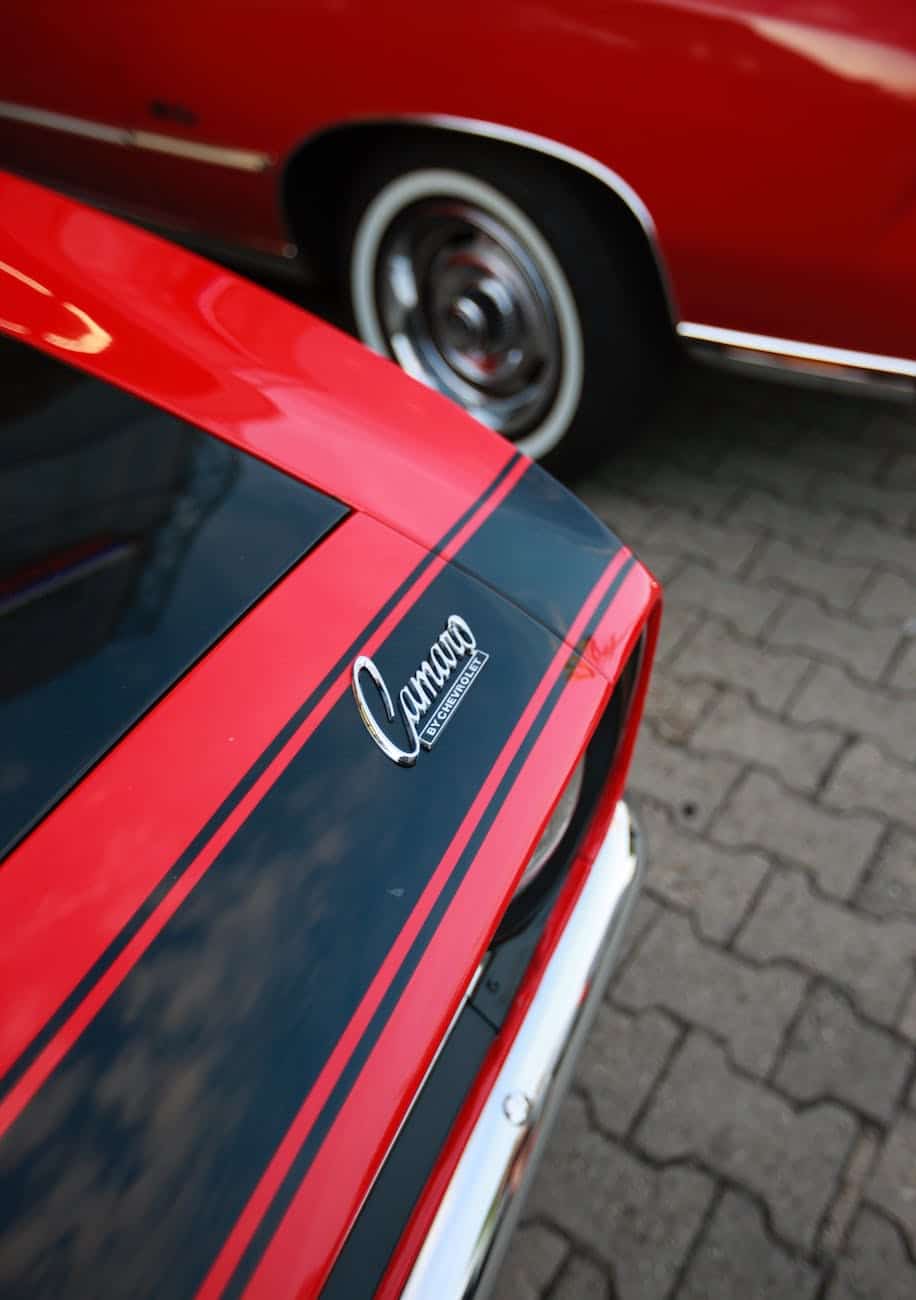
[{"x": 610, "y": 179}]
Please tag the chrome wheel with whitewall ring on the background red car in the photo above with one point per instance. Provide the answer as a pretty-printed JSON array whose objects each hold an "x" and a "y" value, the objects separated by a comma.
[{"x": 457, "y": 284}]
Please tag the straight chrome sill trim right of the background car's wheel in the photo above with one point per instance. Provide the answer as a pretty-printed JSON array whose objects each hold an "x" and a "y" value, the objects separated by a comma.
[{"x": 815, "y": 362}]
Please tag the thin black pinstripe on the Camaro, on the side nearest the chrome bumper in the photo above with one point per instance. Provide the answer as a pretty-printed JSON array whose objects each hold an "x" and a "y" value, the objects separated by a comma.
[{"x": 319, "y": 1133}]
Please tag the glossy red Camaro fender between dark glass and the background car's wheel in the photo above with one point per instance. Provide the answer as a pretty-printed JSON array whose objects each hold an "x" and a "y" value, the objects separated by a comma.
[{"x": 237, "y": 361}]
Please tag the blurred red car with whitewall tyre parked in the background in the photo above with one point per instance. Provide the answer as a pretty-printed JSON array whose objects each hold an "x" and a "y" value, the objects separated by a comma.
[{"x": 526, "y": 202}]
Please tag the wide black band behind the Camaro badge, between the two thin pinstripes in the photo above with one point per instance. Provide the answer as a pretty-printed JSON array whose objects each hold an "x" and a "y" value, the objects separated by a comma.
[{"x": 133, "y": 1163}]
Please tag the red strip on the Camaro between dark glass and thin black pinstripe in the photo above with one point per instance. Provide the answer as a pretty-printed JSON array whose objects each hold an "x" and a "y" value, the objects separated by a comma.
[{"x": 57, "y": 935}]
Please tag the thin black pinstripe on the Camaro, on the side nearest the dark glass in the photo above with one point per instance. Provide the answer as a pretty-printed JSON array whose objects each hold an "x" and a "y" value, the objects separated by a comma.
[{"x": 15, "y": 1073}]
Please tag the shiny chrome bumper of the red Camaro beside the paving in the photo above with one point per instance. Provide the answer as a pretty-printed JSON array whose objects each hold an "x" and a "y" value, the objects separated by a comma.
[{"x": 466, "y": 1245}]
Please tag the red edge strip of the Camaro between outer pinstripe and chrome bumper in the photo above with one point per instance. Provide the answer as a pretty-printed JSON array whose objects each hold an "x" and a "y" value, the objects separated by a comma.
[{"x": 314, "y": 1229}]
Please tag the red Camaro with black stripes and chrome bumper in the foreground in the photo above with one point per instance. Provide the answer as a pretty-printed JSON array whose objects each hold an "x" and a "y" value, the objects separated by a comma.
[{"x": 316, "y": 705}]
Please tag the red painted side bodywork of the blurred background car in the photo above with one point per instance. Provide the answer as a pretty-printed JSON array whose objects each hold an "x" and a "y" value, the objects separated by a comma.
[{"x": 772, "y": 141}]
